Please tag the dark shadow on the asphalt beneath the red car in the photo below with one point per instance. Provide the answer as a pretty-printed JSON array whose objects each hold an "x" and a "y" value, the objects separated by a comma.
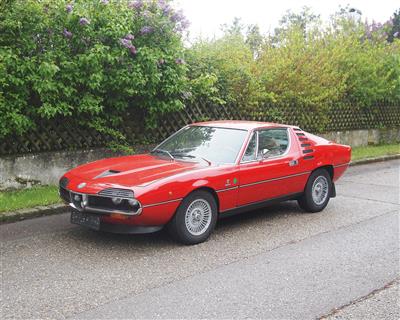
[{"x": 162, "y": 239}]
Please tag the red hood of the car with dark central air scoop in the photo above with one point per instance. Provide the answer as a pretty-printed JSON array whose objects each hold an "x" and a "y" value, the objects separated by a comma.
[{"x": 137, "y": 170}]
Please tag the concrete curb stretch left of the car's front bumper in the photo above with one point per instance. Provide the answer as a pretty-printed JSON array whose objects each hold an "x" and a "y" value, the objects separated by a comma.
[{"x": 22, "y": 214}]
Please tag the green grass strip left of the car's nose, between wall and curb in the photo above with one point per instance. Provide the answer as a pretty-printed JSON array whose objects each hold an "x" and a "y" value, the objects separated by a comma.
[{"x": 28, "y": 198}]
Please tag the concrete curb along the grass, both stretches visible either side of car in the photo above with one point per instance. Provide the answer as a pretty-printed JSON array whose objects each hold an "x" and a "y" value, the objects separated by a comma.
[{"x": 7, "y": 217}]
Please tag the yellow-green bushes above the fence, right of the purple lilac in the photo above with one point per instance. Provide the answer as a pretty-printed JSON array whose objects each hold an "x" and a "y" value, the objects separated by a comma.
[{"x": 304, "y": 61}]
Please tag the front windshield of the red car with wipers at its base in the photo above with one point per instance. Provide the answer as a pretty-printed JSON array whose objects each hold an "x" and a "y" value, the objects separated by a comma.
[{"x": 216, "y": 145}]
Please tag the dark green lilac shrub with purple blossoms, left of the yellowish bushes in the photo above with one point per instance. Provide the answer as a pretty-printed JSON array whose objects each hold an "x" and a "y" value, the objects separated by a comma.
[{"x": 89, "y": 59}]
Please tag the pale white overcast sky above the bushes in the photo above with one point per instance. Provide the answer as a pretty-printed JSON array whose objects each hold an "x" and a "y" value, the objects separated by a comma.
[{"x": 206, "y": 16}]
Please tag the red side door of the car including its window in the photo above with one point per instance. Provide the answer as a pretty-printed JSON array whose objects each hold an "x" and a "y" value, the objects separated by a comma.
[{"x": 274, "y": 174}]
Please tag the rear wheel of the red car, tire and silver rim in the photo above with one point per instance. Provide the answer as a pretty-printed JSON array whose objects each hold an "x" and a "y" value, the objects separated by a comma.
[{"x": 317, "y": 192}]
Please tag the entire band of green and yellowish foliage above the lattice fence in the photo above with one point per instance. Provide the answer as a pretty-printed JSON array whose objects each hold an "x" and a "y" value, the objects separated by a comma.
[{"x": 99, "y": 60}]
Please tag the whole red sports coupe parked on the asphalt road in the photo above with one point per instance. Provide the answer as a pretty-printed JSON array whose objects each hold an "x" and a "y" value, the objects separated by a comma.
[{"x": 205, "y": 171}]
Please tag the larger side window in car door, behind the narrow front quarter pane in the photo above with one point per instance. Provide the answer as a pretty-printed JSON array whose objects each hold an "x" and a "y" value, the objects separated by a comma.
[{"x": 273, "y": 142}]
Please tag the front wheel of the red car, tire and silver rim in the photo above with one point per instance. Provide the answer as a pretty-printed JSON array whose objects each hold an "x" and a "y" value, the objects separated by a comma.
[{"x": 195, "y": 218}]
